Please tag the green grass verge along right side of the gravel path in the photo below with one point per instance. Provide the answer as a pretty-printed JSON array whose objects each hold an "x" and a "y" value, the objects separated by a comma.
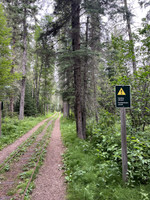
[{"x": 92, "y": 178}]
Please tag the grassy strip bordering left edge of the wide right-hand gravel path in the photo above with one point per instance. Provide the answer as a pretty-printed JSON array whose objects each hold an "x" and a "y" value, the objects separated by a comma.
[{"x": 30, "y": 170}]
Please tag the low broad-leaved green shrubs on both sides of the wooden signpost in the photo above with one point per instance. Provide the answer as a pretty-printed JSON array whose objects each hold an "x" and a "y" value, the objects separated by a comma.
[{"x": 107, "y": 142}]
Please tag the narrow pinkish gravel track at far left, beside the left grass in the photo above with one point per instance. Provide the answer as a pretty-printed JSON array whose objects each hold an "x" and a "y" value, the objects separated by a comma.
[{"x": 9, "y": 149}]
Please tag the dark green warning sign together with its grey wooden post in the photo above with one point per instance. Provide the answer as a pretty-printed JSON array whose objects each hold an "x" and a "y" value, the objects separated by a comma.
[{"x": 122, "y": 102}]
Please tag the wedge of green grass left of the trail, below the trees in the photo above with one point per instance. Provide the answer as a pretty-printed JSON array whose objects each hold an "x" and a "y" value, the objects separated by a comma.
[{"x": 12, "y": 128}]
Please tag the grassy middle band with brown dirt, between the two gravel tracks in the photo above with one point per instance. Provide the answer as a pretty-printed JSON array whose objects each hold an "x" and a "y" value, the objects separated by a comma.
[{"x": 23, "y": 164}]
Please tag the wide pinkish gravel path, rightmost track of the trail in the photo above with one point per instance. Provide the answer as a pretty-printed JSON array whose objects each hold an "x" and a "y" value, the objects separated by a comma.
[{"x": 50, "y": 180}]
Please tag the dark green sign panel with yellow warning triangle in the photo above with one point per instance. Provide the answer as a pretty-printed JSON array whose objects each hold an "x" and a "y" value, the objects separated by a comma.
[{"x": 123, "y": 96}]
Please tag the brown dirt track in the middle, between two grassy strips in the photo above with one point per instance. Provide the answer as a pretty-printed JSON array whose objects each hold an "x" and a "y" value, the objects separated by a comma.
[{"x": 10, "y": 180}]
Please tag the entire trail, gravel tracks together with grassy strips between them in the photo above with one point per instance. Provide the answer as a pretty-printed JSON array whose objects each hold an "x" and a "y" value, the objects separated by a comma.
[{"x": 14, "y": 178}]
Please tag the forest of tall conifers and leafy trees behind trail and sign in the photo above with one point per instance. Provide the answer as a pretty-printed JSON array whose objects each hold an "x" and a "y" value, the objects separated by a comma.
[{"x": 76, "y": 56}]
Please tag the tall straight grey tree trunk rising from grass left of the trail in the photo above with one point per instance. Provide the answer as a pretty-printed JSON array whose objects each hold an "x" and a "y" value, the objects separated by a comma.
[{"x": 24, "y": 62}]
